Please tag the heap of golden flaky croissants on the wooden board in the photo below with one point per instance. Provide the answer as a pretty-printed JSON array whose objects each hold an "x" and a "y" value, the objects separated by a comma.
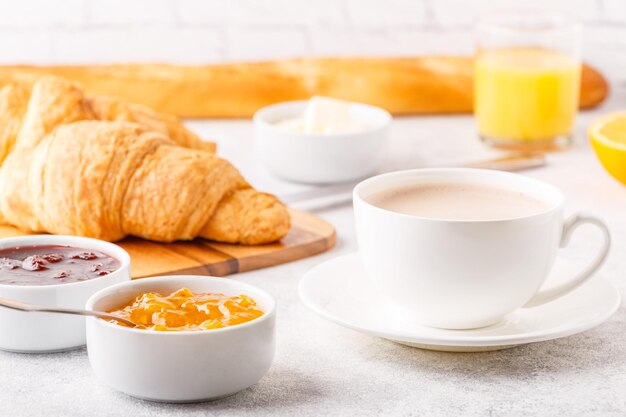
[{"x": 104, "y": 168}]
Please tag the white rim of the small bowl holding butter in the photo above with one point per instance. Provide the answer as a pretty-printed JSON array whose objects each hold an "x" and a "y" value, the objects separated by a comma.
[{"x": 261, "y": 115}]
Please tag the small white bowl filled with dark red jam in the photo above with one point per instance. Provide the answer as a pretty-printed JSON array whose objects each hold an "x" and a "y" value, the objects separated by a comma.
[{"x": 56, "y": 271}]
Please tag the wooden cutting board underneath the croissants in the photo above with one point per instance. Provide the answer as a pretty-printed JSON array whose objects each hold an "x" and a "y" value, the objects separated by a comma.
[{"x": 309, "y": 235}]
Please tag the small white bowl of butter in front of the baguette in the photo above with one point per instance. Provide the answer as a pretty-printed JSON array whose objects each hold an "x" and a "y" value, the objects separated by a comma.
[{"x": 321, "y": 140}]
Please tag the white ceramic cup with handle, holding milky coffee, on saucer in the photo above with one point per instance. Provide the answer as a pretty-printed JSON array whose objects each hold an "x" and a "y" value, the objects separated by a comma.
[{"x": 461, "y": 274}]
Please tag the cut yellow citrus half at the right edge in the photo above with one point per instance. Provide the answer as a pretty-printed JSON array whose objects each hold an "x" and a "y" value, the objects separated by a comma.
[{"x": 608, "y": 138}]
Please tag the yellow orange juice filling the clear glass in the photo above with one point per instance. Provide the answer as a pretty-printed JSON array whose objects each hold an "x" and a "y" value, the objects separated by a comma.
[{"x": 525, "y": 94}]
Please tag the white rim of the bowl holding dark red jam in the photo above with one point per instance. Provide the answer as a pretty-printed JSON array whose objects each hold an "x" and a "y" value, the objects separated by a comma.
[{"x": 82, "y": 242}]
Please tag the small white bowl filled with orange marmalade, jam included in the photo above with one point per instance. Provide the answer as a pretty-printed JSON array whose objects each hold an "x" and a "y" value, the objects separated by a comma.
[{"x": 197, "y": 338}]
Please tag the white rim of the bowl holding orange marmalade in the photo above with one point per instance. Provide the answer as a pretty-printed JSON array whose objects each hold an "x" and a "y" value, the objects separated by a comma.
[{"x": 172, "y": 278}]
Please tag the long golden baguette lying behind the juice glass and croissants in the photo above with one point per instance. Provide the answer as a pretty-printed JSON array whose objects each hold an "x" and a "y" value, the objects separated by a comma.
[{"x": 401, "y": 85}]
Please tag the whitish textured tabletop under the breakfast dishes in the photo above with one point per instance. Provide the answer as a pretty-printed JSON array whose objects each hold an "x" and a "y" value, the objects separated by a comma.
[{"x": 323, "y": 369}]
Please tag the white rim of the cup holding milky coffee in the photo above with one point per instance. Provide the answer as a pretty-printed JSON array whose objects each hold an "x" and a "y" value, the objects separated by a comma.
[{"x": 551, "y": 207}]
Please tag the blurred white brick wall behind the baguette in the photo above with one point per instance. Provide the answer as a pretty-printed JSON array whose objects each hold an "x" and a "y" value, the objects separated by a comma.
[{"x": 198, "y": 31}]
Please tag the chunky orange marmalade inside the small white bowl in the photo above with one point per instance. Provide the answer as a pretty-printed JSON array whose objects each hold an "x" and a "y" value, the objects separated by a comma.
[{"x": 183, "y": 310}]
